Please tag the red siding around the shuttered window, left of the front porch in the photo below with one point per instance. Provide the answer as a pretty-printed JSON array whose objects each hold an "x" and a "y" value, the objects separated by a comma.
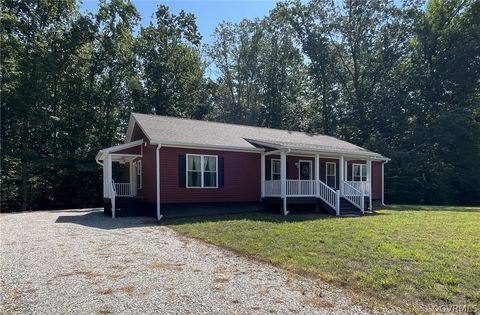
[{"x": 241, "y": 179}]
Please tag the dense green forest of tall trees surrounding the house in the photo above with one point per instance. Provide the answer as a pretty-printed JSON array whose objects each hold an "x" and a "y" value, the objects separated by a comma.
[{"x": 402, "y": 79}]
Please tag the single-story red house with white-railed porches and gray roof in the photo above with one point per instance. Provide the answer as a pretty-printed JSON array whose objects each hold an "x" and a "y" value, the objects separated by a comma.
[{"x": 182, "y": 161}]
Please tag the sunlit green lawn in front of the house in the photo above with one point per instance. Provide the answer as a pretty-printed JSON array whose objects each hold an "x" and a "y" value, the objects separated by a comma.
[{"x": 410, "y": 254}]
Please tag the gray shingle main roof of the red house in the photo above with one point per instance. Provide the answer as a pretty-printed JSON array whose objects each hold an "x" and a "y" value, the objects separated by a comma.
[{"x": 171, "y": 130}]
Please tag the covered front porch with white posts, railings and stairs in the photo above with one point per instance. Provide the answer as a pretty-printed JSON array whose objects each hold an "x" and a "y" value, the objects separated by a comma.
[{"x": 335, "y": 180}]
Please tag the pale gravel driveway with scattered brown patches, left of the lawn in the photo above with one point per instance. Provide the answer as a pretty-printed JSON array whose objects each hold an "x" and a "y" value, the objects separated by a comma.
[{"x": 82, "y": 262}]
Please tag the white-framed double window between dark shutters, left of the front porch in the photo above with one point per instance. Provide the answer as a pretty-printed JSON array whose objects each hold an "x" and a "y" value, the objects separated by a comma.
[{"x": 202, "y": 171}]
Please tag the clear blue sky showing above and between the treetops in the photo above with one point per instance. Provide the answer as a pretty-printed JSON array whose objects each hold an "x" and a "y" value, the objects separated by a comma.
[{"x": 208, "y": 13}]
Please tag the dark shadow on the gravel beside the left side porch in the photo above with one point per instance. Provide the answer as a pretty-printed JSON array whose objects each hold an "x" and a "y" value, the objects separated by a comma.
[{"x": 99, "y": 220}]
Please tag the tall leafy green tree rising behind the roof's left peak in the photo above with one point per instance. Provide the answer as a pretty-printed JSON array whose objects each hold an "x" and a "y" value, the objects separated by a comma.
[{"x": 171, "y": 66}]
